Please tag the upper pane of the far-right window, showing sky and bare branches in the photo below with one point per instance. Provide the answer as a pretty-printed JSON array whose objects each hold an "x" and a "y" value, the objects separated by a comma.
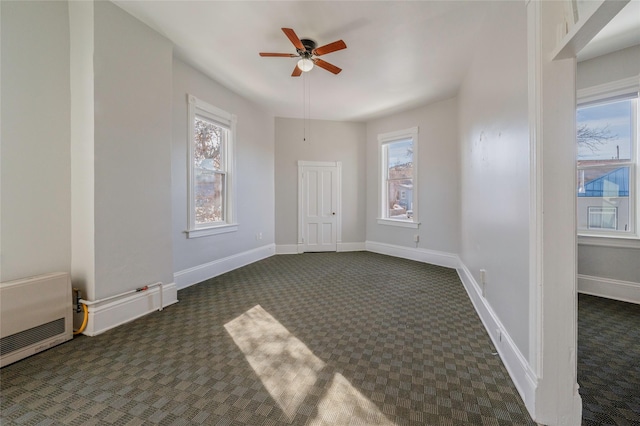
[{"x": 604, "y": 131}]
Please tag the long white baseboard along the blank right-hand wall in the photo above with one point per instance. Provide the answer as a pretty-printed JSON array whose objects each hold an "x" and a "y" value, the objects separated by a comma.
[{"x": 523, "y": 376}]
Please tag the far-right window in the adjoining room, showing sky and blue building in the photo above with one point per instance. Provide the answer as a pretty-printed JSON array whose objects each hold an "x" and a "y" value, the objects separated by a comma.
[{"x": 607, "y": 138}]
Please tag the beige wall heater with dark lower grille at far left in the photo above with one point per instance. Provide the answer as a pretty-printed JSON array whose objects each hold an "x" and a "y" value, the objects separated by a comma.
[{"x": 35, "y": 314}]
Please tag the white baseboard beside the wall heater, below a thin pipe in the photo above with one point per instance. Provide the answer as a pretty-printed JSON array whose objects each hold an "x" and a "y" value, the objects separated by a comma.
[{"x": 110, "y": 314}]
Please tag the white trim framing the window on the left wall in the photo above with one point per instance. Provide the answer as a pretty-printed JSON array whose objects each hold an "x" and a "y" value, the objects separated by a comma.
[{"x": 228, "y": 120}]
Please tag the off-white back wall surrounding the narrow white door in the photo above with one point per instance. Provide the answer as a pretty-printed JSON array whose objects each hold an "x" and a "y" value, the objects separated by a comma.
[{"x": 325, "y": 141}]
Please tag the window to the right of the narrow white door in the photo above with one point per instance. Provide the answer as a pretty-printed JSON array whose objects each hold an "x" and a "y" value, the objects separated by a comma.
[{"x": 399, "y": 178}]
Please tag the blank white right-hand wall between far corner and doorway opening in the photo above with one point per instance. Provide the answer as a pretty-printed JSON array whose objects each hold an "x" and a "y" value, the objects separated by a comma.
[{"x": 494, "y": 144}]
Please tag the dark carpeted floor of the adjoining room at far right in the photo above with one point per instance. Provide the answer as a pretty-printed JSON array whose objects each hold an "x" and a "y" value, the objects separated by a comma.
[{"x": 609, "y": 361}]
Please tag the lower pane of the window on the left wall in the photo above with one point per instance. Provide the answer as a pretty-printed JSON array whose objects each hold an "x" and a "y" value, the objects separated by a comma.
[{"x": 209, "y": 192}]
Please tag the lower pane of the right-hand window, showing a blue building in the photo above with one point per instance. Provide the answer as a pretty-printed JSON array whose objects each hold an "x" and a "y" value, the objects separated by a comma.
[{"x": 603, "y": 198}]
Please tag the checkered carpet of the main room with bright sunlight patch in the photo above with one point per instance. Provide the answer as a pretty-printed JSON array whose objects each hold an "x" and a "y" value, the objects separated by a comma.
[{"x": 326, "y": 339}]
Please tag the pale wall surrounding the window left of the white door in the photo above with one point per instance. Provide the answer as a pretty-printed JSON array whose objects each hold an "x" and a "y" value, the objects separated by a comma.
[{"x": 193, "y": 257}]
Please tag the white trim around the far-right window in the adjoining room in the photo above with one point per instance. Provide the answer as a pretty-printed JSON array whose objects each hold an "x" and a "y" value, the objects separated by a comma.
[{"x": 602, "y": 92}]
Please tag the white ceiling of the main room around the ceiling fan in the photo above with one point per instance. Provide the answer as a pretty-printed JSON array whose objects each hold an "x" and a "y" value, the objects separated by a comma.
[{"x": 400, "y": 54}]
